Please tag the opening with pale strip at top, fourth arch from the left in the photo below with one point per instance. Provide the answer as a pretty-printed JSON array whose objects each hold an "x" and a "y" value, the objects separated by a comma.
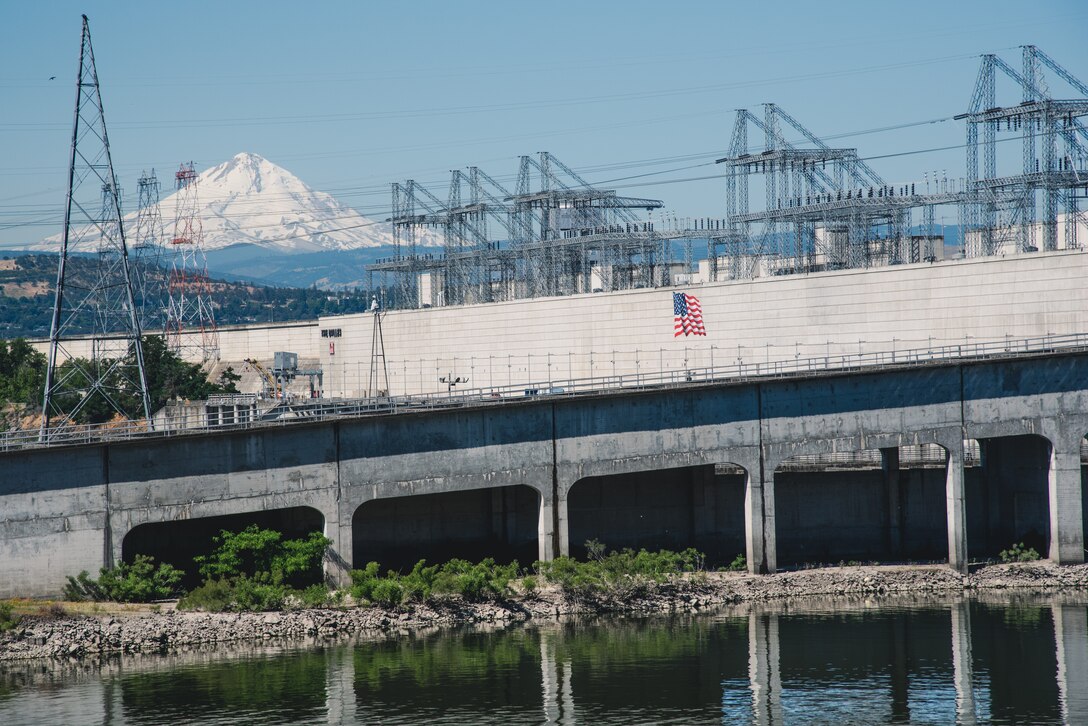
[{"x": 886, "y": 506}]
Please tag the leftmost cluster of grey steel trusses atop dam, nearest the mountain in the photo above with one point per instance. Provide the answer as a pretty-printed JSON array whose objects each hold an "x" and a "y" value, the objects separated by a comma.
[{"x": 557, "y": 236}]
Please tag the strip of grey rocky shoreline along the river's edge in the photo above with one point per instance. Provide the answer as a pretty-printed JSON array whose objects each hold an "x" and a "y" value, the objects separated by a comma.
[{"x": 167, "y": 632}]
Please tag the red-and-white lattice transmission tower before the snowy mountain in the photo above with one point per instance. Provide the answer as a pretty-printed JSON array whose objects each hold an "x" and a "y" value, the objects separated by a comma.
[{"x": 191, "y": 322}]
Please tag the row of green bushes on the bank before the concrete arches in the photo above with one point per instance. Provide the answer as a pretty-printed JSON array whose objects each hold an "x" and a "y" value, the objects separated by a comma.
[{"x": 258, "y": 570}]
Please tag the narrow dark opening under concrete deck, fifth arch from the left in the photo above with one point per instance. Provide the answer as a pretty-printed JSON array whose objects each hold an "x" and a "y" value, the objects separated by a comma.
[{"x": 1009, "y": 499}]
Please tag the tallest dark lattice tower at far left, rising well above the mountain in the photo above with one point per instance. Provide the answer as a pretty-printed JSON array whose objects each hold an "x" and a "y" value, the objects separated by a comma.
[{"x": 96, "y": 387}]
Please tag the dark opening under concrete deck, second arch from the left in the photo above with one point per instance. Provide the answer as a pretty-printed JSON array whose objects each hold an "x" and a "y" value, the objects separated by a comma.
[{"x": 399, "y": 532}]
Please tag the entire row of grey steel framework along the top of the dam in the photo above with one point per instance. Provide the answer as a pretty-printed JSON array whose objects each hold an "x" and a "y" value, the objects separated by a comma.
[{"x": 823, "y": 208}]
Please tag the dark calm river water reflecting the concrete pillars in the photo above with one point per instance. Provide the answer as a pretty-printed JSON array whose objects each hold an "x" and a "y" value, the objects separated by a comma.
[{"x": 833, "y": 662}]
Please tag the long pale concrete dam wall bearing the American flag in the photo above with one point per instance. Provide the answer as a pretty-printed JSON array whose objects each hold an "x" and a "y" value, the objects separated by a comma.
[{"x": 908, "y": 307}]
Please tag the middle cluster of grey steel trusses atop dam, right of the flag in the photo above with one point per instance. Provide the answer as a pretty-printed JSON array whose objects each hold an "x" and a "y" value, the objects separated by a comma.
[{"x": 825, "y": 207}]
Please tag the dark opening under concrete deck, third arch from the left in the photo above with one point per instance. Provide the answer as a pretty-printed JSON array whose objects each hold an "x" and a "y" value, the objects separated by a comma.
[{"x": 695, "y": 507}]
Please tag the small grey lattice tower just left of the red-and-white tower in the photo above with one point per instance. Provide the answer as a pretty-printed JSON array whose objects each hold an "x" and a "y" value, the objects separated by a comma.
[{"x": 149, "y": 278}]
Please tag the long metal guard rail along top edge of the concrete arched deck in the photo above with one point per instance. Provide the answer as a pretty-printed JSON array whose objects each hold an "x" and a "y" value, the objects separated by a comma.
[{"x": 324, "y": 410}]
